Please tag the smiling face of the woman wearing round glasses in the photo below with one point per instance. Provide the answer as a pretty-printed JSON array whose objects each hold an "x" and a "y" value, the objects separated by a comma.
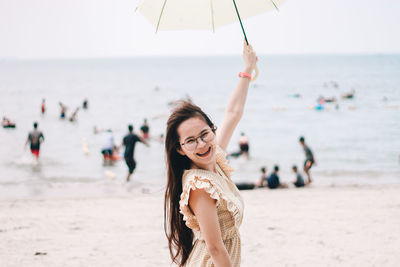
[{"x": 201, "y": 154}]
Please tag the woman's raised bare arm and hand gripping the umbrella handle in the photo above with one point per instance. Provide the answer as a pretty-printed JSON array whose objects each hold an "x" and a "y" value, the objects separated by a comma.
[{"x": 235, "y": 107}]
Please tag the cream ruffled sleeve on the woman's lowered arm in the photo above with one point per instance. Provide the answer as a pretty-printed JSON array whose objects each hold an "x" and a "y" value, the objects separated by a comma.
[{"x": 192, "y": 180}]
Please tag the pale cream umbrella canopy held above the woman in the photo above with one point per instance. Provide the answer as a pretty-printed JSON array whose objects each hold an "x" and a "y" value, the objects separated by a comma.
[{"x": 200, "y": 14}]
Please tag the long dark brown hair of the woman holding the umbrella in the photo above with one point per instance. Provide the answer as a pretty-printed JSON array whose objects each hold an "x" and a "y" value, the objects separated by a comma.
[{"x": 180, "y": 237}]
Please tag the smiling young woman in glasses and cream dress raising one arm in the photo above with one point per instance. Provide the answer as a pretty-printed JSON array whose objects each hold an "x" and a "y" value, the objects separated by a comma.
[{"x": 203, "y": 208}]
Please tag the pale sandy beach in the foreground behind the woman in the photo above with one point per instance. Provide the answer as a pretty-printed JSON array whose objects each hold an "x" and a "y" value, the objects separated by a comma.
[{"x": 332, "y": 226}]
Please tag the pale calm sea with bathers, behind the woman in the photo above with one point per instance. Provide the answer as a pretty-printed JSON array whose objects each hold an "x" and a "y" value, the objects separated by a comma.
[{"x": 355, "y": 141}]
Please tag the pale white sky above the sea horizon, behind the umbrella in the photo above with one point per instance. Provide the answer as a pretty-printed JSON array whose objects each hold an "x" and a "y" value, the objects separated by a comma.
[{"x": 111, "y": 28}]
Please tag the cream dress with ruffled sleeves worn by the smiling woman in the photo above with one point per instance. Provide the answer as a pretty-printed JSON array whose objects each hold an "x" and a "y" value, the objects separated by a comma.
[{"x": 229, "y": 209}]
